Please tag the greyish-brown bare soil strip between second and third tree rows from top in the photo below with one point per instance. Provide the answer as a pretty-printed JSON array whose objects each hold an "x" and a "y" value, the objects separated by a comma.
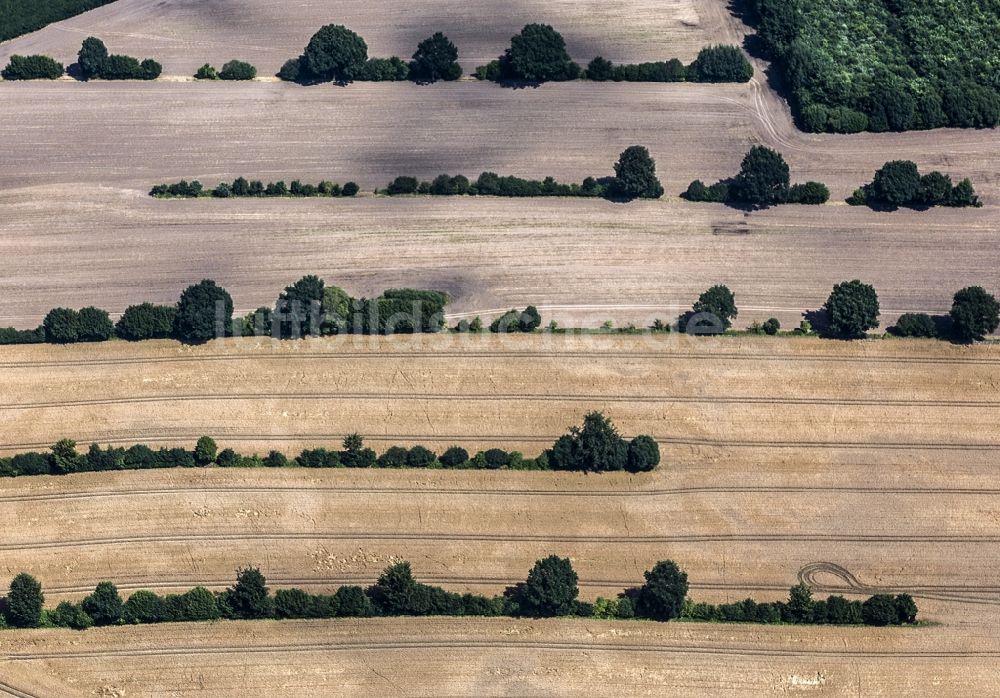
[{"x": 580, "y": 261}]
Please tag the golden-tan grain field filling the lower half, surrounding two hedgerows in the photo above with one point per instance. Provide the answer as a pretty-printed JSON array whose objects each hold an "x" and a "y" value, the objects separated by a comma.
[{"x": 856, "y": 467}]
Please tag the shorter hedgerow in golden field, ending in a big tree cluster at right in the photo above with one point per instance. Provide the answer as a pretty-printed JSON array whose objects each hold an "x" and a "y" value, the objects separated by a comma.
[{"x": 596, "y": 446}]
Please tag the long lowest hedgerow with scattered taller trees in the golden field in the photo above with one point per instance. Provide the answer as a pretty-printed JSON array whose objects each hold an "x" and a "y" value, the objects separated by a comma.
[{"x": 550, "y": 590}]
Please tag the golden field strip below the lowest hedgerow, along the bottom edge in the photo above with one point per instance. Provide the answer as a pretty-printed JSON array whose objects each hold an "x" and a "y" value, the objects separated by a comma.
[{"x": 498, "y": 657}]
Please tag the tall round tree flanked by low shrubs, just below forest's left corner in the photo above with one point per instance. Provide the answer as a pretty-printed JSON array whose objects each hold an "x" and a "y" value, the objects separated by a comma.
[{"x": 763, "y": 180}]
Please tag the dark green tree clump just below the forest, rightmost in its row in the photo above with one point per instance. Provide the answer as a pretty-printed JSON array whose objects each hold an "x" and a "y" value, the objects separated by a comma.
[{"x": 899, "y": 183}]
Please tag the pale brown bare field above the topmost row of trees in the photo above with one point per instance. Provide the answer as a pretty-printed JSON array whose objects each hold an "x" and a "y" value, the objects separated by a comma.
[{"x": 184, "y": 34}]
